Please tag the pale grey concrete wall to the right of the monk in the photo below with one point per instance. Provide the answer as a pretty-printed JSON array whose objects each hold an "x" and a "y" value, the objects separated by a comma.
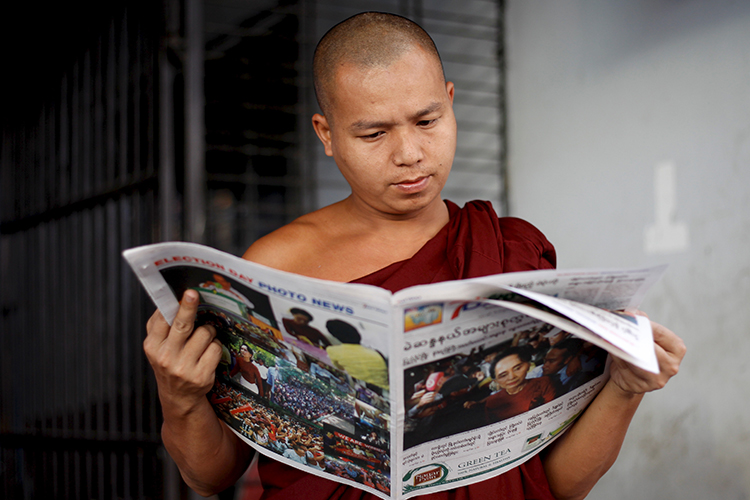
[{"x": 629, "y": 144}]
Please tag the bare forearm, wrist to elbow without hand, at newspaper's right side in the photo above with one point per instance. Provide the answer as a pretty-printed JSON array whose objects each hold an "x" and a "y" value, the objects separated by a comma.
[{"x": 587, "y": 450}]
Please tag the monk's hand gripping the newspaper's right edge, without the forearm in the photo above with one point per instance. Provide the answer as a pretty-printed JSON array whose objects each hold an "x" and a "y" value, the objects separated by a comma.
[{"x": 670, "y": 349}]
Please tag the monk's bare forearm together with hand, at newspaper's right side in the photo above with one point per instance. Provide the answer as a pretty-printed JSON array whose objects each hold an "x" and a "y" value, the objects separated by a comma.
[{"x": 588, "y": 449}]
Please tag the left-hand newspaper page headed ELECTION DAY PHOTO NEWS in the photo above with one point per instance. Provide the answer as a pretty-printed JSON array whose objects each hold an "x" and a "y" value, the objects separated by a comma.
[{"x": 304, "y": 372}]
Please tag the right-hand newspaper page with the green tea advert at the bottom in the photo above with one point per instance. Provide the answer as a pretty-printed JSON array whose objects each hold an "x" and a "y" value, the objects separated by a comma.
[{"x": 487, "y": 385}]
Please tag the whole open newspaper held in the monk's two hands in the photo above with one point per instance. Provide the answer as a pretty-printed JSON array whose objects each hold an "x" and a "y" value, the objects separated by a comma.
[{"x": 430, "y": 388}]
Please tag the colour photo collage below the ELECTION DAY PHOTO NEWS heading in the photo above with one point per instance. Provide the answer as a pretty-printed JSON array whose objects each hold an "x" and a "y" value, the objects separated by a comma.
[{"x": 288, "y": 385}]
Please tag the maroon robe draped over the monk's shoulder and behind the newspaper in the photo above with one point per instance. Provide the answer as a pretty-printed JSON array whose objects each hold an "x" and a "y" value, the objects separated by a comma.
[{"x": 474, "y": 243}]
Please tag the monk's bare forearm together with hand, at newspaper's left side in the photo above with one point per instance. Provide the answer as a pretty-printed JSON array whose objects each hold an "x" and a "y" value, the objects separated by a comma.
[{"x": 209, "y": 455}]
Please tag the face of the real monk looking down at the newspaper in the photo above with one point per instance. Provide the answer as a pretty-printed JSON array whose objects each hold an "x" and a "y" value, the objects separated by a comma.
[{"x": 392, "y": 132}]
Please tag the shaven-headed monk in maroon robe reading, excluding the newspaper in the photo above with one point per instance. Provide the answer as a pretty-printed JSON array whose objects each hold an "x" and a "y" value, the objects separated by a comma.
[{"x": 387, "y": 120}]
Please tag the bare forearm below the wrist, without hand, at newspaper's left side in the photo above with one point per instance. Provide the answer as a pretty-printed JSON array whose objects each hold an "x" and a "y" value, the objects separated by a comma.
[{"x": 209, "y": 455}]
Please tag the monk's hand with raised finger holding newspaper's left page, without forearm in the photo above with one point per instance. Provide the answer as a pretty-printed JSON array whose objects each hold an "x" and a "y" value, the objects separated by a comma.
[{"x": 184, "y": 360}]
